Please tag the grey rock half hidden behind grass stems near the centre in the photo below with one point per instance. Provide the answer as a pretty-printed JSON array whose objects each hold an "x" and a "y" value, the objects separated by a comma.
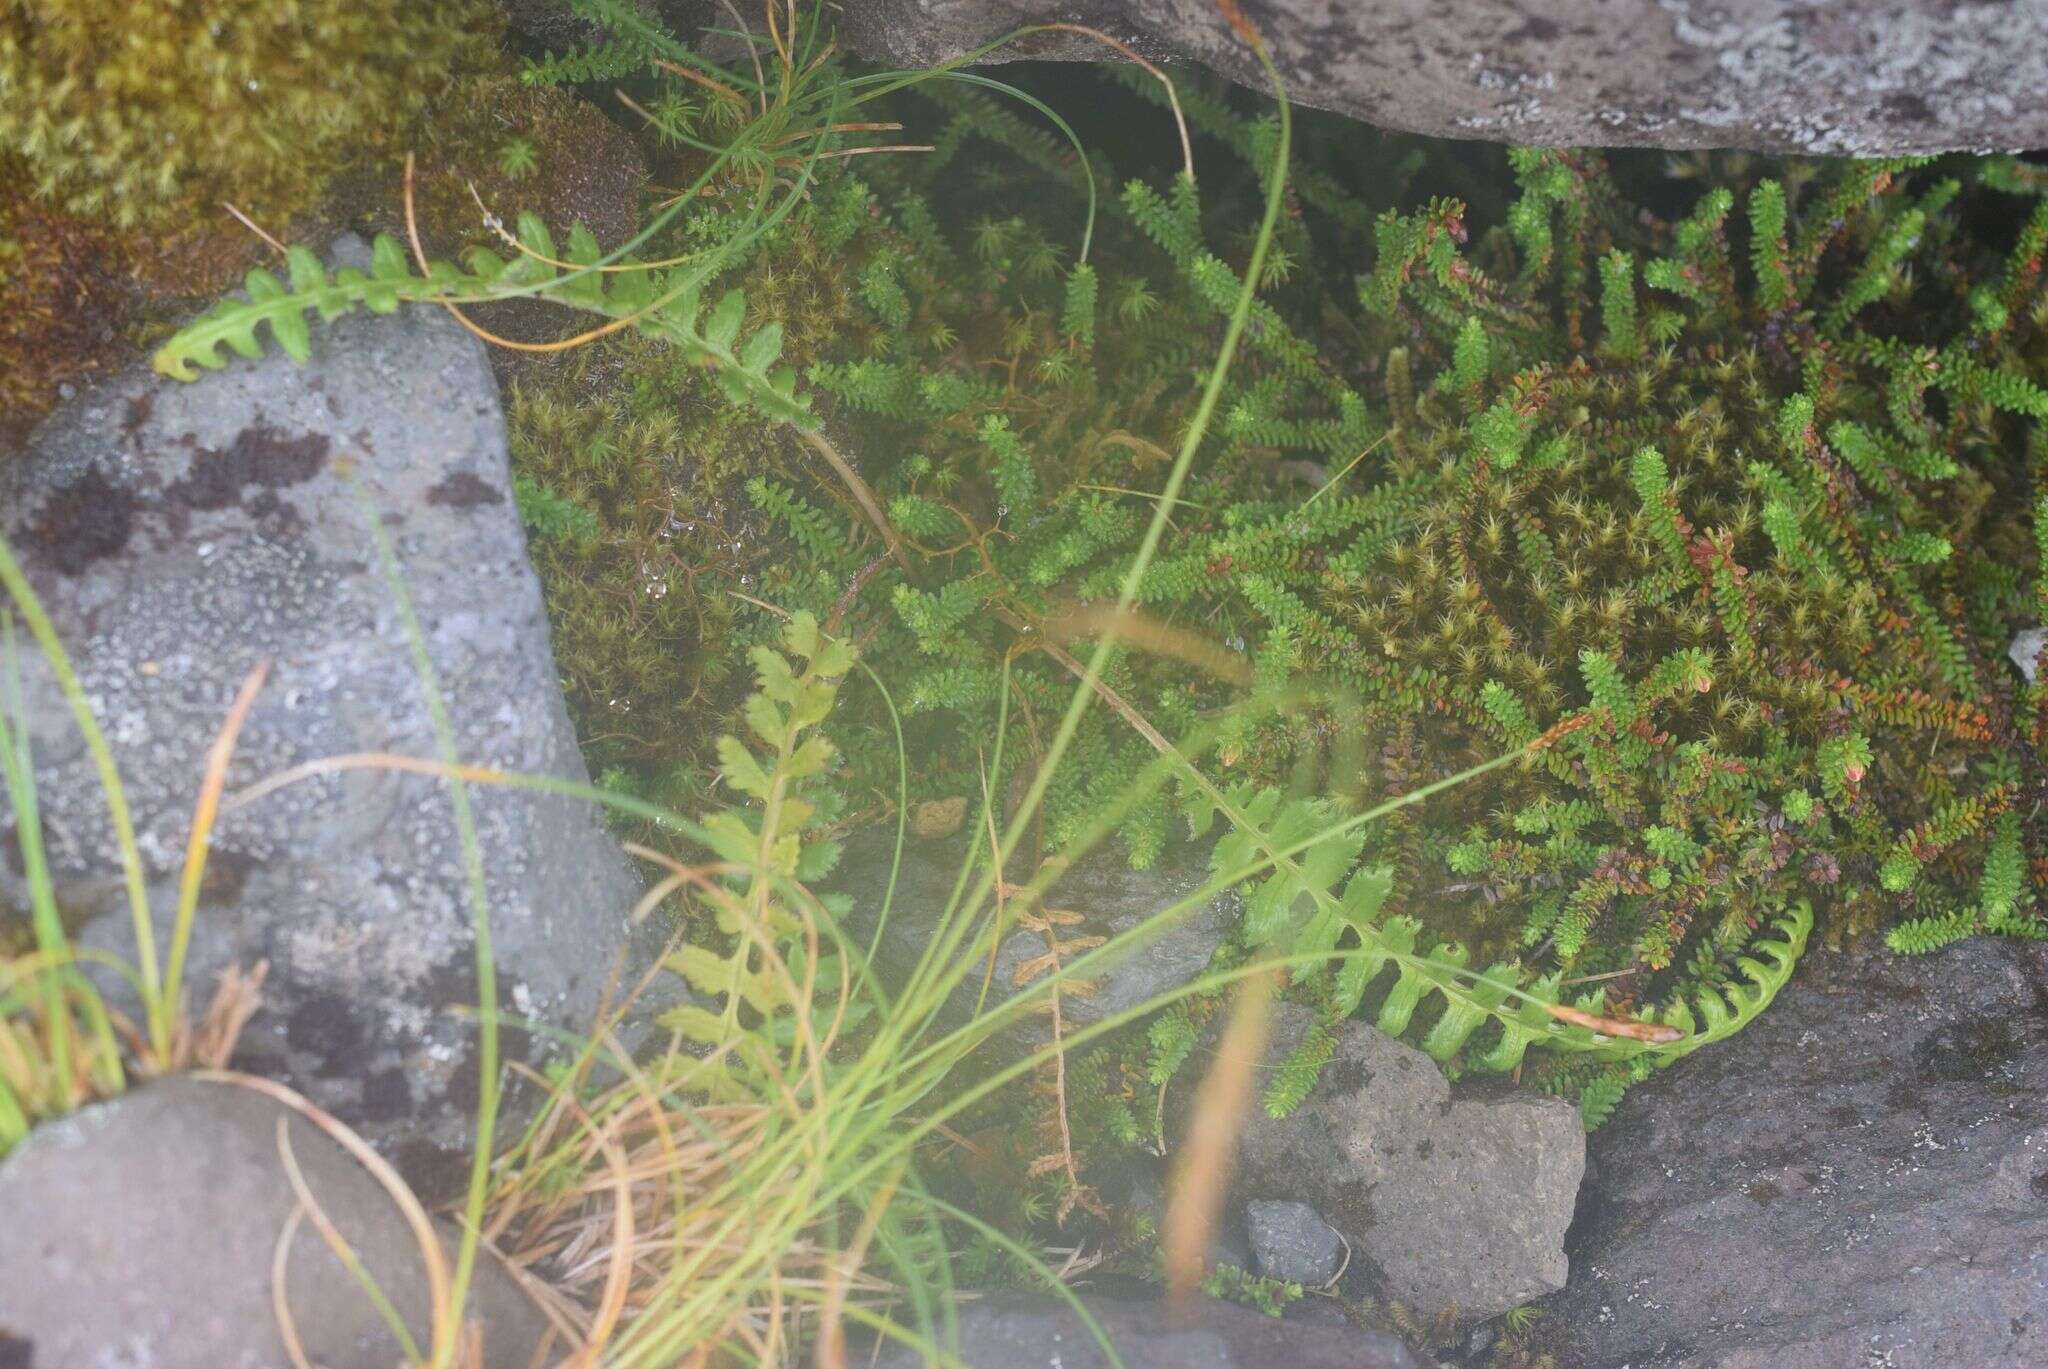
[{"x": 1111, "y": 897}]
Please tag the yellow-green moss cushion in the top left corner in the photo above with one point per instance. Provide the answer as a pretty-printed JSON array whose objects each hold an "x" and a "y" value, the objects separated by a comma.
[{"x": 155, "y": 114}]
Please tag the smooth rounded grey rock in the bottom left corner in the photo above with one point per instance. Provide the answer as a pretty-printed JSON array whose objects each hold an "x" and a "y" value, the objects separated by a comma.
[{"x": 140, "y": 1235}]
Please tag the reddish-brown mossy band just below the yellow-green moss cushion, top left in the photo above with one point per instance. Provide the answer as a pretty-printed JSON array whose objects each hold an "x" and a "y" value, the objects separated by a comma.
[{"x": 87, "y": 286}]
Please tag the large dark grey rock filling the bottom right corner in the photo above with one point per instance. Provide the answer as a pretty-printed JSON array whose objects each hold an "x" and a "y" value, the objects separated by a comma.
[{"x": 1857, "y": 1179}]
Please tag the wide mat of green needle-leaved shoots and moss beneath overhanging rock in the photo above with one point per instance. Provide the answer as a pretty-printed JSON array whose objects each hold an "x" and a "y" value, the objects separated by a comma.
[{"x": 1736, "y": 491}]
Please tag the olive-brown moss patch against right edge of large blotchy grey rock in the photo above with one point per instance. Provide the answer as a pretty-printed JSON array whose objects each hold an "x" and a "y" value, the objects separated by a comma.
[{"x": 632, "y": 476}]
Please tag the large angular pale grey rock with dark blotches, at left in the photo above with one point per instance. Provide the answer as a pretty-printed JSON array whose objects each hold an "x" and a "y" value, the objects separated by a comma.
[{"x": 185, "y": 534}]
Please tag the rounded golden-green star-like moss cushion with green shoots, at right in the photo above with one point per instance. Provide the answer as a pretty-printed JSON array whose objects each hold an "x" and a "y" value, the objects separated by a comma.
[{"x": 1738, "y": 667}]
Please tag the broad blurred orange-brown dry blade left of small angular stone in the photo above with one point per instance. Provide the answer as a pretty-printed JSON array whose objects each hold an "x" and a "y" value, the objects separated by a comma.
[{"x": 1201, "y": 1177}]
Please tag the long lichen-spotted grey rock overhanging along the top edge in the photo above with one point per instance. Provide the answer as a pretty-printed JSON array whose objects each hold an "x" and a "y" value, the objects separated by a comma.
[{"x": 1861, "y": 79}]
